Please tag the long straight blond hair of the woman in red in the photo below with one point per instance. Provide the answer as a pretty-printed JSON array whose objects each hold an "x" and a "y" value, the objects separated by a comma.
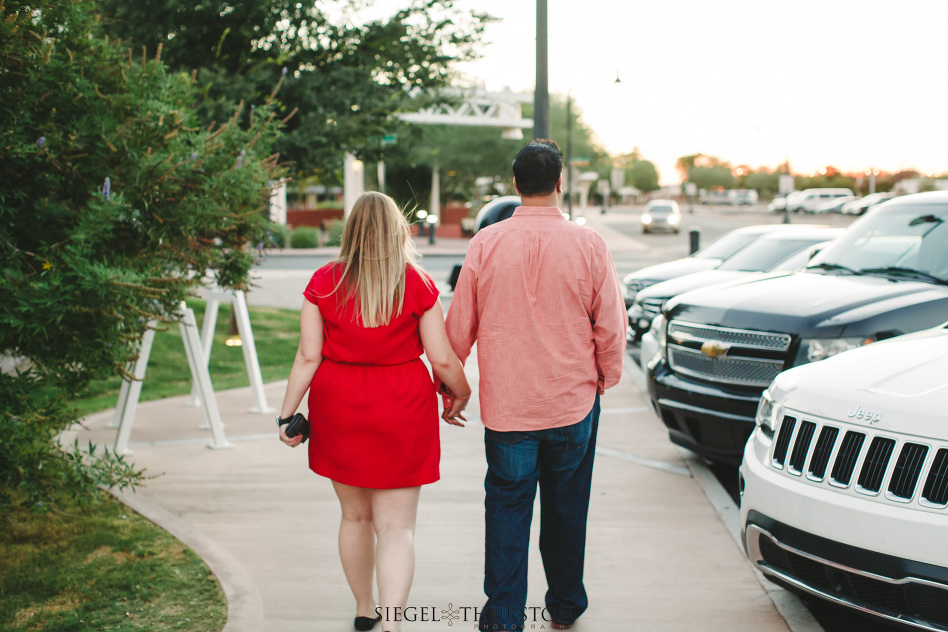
[{"x": 376, "y": 249}]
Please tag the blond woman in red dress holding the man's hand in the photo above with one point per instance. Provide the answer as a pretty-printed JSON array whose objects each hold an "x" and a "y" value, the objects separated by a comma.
[{"x": 373, "y": 408}]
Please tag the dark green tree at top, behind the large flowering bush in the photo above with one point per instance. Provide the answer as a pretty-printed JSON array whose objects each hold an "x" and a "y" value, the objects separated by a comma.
[{"x": 345, "y": 80}]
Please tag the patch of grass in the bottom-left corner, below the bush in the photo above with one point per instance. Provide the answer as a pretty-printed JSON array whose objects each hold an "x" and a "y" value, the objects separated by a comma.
[{"x": 101, "y": 567}]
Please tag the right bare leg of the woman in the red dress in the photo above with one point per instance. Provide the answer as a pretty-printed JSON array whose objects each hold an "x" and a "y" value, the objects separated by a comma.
[{"x": 393, "y": 514}]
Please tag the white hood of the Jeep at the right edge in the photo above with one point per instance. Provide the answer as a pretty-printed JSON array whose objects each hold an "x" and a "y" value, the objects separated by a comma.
[{"x": 898, "y": 385}]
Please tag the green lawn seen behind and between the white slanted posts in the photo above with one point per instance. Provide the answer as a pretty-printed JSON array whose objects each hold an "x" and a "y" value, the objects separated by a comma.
[{"x": 276, "y": 335}]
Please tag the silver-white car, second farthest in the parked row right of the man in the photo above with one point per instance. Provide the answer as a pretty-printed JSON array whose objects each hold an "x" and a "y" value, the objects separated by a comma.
[{"x": 772, "y": 252}]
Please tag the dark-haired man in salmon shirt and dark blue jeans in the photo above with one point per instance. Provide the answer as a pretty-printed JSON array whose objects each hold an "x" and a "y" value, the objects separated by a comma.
[{"x": 541, "y": 297}]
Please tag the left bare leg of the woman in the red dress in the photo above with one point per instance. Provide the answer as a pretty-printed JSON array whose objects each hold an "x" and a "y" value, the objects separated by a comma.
[{"x": 357, "y": 544}]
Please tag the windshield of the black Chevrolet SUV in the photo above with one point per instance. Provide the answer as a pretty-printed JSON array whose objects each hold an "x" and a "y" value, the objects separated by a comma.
[{"x": 900, "y": 239}]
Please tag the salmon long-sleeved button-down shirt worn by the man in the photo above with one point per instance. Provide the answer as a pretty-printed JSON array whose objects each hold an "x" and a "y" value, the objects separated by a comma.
[{"x": 540, "y": 296}]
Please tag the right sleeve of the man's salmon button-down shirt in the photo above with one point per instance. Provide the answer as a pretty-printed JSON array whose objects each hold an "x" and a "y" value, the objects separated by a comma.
[{"x": 610, "y": 321}]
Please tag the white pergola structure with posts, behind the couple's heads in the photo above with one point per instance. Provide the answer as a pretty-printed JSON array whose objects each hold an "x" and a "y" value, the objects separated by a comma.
[{"x": 476, "y": 108}]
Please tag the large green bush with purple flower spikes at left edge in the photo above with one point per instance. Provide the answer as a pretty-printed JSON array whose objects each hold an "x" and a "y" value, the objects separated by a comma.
[{"x": 115, "y": 204}]
